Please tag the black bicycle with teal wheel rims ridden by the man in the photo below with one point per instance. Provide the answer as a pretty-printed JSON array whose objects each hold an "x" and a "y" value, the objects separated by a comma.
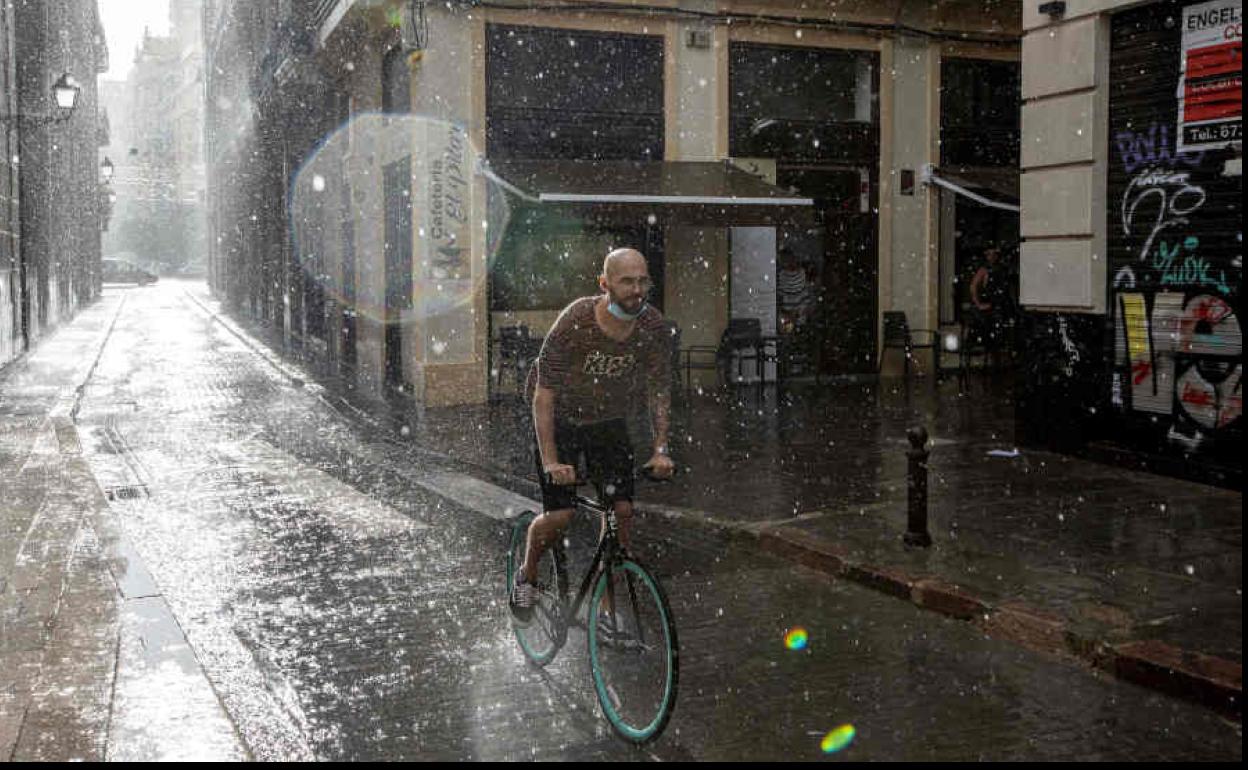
[{"x": 633, "y": 651}]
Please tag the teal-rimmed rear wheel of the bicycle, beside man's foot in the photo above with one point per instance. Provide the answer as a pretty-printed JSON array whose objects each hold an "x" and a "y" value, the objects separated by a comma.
[{"x": 542, "y": 638}]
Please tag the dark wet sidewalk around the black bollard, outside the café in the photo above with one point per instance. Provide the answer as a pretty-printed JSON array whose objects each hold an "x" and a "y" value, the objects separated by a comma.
[{"x": 1131, "y": 573}]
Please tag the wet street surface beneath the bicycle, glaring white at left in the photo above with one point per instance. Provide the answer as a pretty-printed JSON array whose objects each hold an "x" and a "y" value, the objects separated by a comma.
[{"x": 303, "y": 586}]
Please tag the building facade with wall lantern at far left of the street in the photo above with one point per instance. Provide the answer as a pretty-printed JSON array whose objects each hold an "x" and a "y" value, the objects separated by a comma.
[{"x": 51, "y": 254}]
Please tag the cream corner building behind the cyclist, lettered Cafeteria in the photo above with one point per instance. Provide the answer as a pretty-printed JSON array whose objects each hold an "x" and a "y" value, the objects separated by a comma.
[{"x": 844, "y": 109}]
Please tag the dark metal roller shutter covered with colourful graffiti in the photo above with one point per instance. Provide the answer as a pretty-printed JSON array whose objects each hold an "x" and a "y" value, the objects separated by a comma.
[{"x": 1175, "y": 249}]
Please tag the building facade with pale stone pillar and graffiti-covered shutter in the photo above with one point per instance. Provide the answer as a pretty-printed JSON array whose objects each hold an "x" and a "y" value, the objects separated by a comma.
[{"x": 1133, "y": 266}]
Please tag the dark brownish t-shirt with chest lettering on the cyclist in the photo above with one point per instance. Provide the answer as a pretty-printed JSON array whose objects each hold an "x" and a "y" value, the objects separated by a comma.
[{"x": 596, "y": 378}]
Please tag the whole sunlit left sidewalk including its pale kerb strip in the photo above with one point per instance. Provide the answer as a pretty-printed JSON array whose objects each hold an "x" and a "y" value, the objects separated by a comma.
[{"x": 89, "y": 648}]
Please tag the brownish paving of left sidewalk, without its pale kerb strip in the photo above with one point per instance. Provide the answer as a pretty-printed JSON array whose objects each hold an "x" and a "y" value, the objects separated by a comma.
[{"x": 56, "y": 678}]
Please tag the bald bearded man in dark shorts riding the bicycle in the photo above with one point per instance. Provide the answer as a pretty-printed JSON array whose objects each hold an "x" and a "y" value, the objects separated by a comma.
[{"x": 600, "y": 358}]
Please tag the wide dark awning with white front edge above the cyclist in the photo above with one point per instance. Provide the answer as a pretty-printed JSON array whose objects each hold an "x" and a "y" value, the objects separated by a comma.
[{"x": 686, "y": 193}]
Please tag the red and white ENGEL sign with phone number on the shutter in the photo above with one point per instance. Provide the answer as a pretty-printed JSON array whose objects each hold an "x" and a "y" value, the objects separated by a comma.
[{"x": 1211, "y": 98}]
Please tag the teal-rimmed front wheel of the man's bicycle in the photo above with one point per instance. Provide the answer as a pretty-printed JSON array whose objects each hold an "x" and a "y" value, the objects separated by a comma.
[{"x": 633, "y": 651}]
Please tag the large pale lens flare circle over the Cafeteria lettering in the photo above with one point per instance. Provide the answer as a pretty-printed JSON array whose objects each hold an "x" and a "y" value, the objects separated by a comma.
[{"x": 395, "y": 227}]
